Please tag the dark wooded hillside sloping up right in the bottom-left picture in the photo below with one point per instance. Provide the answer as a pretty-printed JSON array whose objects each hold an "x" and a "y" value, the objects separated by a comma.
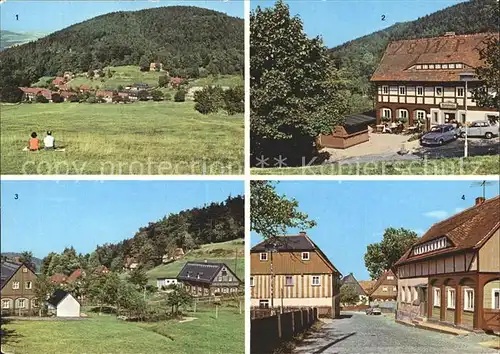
[{"x": 188, "y": 229}]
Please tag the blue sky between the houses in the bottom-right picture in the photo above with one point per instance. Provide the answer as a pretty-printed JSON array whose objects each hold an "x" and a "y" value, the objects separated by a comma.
[{"x": 352, "y": 214}]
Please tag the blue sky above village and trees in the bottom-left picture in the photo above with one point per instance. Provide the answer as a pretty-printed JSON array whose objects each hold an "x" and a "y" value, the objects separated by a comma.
[{"x": 51, "y": 215}]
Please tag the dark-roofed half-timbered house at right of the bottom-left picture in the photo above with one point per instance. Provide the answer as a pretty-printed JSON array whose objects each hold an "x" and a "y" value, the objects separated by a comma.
[{"x": 207, "y": 279}]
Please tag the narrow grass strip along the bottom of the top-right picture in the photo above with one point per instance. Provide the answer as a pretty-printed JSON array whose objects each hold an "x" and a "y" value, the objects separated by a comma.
[{"x": 475, "y": 165}]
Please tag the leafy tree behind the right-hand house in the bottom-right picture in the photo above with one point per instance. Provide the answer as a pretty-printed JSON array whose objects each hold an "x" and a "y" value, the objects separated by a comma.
[{"x": 381, "y": 256}]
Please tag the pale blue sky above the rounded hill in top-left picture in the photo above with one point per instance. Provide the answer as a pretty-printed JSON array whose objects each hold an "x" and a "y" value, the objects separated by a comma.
[{"x": 50, "y": 16}]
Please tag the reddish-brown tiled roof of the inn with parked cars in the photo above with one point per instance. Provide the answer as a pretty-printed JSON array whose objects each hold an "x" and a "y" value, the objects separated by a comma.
[{"x": 400, "y": 56}]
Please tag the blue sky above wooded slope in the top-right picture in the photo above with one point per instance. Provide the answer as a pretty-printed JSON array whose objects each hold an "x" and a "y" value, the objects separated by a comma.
[{"x": 339, "y": 21}]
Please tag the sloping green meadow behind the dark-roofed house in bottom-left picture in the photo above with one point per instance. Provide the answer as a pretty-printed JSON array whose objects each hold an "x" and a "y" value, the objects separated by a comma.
[{"x": 224, "y": 252}]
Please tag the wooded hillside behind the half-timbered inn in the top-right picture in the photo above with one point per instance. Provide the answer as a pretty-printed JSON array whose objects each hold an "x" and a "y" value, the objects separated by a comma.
[{"x": 361, "y": 56}]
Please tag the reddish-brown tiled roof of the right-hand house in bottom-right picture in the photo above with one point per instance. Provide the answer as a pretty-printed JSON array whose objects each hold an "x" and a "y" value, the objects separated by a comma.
[{"x": 468, "y": 229}]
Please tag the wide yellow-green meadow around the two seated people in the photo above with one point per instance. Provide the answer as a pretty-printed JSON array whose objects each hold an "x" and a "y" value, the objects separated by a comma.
[{"x": 141, "y": 138}]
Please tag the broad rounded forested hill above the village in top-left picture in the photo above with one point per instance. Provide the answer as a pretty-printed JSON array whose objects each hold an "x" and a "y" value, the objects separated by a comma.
[{"x": 183, "y": 38}]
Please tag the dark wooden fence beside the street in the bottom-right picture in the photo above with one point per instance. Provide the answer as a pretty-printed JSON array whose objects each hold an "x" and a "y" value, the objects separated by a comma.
[{"x": 268, "y": 332}]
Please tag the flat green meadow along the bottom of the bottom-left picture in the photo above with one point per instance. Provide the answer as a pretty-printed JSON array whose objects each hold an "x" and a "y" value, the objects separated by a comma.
[{"x": 108, "y": 335}]
